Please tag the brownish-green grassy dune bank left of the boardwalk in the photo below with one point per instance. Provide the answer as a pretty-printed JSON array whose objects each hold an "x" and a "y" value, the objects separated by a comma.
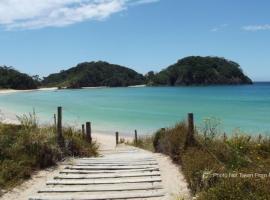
[{"x": 28, "y": 147}]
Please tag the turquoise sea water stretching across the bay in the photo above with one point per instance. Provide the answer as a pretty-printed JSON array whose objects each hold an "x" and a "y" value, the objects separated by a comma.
[{"x": 150, "y": 108}]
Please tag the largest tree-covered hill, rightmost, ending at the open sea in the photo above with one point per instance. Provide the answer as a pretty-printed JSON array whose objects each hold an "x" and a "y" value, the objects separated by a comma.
[{"x": 196, "y": 70}]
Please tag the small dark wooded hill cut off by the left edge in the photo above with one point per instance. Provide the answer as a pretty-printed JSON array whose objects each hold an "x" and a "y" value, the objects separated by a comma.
[{"x": 13, "y": 79}]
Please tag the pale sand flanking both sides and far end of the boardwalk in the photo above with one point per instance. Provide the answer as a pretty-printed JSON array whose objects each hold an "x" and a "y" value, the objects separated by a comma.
[{"x": 172, "y": 179}]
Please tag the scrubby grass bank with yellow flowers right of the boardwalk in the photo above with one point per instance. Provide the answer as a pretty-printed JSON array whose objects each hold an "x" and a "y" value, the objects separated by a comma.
[{"x": 217, "y": 167}]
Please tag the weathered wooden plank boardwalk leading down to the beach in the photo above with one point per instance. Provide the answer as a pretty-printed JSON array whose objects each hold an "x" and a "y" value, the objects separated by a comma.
[{"x": 122, "y": 173}]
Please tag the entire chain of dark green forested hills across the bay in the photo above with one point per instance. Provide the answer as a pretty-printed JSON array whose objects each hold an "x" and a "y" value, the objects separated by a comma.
[{"x": 193, "y": 70}]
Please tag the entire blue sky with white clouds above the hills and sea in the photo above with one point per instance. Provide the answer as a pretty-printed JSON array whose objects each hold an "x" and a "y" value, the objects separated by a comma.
[{"x": 50, "y": 35}]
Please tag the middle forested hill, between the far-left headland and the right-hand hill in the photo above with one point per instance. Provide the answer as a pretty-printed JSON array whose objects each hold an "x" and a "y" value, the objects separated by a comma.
[{"x": 91, "y": 74}]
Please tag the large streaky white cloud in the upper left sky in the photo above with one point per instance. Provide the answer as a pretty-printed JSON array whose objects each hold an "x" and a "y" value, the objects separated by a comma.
[{"x": 34, "y": 14}]
